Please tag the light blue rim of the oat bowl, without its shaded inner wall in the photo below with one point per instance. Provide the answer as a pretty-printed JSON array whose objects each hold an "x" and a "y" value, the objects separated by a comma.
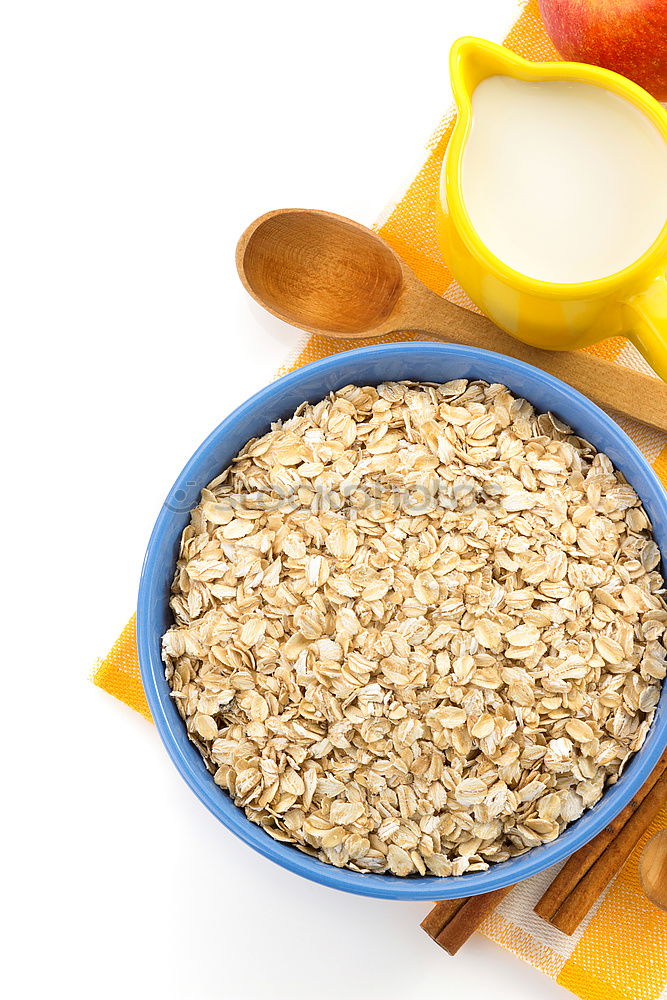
[{"x": 383, "y": 886}]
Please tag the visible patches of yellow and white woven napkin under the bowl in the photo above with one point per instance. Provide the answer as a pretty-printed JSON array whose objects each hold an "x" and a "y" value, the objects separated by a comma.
[{"x": 620, "y": 952}]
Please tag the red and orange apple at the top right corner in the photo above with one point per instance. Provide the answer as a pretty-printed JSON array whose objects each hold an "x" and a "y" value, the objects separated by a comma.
[{"x": 628, "y": 36}]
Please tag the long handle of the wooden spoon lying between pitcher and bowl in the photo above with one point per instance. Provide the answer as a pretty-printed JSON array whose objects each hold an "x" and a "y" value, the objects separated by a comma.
[{"x": 631, "y": 393}]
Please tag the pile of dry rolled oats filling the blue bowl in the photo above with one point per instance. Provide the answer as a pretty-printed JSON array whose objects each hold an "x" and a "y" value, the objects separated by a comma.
[{"x": 418, "y": 627}]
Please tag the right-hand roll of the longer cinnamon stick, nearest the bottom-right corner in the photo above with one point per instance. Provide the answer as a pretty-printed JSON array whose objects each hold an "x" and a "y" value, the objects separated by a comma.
[{"x": 575, "y": 907}]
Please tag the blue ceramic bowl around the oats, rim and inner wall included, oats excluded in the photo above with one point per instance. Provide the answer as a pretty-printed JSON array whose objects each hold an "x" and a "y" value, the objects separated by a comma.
[{"x": 367, "y": 366}]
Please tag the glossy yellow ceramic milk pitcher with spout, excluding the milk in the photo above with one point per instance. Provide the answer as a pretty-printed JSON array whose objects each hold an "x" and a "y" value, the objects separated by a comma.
[{"x": 631, "y": 302}]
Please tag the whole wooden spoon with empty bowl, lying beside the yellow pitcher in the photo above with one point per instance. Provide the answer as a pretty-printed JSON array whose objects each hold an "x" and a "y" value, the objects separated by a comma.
[{"x": 331, "y": 276}]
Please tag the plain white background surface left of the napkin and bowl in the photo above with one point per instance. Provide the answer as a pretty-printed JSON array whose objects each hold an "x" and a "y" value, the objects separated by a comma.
[{"x": 138, "y": 140}]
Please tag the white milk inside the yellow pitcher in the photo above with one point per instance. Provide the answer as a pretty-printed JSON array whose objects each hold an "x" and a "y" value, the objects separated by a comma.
[{"x": 563, "y": 181}]
